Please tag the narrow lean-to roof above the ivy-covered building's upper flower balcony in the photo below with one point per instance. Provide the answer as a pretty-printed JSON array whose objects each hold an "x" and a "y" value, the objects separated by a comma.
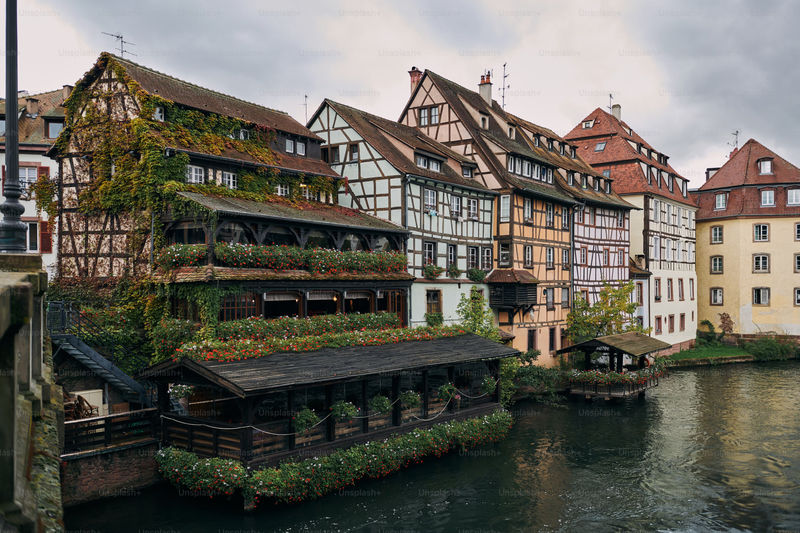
[{"x": 313, "y": 212}]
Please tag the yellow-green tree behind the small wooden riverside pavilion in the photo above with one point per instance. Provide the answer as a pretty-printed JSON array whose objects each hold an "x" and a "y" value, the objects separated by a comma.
[{"x": 612, "y": 313}]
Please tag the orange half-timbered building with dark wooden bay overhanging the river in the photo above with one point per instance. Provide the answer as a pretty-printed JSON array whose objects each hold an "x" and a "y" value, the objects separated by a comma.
[{"x": 530, "y": 285}]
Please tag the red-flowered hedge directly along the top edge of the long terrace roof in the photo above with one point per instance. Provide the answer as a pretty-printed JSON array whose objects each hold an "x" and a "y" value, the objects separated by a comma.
[{"x": 239, "y": 349}]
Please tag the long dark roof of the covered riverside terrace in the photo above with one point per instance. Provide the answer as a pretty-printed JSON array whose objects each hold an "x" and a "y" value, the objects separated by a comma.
[{"x": 285, "y": 370}]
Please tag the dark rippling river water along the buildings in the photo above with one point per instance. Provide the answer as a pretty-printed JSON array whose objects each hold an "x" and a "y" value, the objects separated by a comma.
[{"x": 710, "y": 449}]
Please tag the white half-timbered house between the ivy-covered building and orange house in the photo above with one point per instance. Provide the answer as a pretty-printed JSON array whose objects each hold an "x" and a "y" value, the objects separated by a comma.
[{"x": 398, "y": 173}]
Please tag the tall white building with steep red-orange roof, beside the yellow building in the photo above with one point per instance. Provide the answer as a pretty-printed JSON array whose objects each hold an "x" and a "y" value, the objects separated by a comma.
[{"x": 665, "y": 219}]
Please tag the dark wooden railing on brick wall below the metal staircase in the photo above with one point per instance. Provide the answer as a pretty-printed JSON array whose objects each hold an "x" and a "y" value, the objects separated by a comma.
[{"x": 107, "y": 431}]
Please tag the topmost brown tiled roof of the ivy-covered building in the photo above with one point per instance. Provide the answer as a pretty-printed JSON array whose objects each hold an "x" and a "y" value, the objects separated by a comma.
[{"x": 198, "y": 97}]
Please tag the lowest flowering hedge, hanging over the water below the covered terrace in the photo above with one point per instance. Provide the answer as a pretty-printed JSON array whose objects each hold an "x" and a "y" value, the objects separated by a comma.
[{"x": 310, "y": 479}]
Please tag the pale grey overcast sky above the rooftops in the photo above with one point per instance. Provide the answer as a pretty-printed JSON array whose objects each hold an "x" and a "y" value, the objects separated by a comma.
[{"x": 686, "y": 76}]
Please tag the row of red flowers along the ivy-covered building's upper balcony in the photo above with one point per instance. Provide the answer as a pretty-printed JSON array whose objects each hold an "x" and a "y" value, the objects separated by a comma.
[{"x": 317, "y": 260}]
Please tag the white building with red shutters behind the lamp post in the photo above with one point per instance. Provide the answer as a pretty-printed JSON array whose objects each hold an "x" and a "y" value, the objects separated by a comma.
[{"x": 41, "y": 119}]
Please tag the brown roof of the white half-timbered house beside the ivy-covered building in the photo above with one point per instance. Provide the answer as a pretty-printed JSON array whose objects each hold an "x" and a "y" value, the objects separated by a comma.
[{"x": 382, "y": 134}]
